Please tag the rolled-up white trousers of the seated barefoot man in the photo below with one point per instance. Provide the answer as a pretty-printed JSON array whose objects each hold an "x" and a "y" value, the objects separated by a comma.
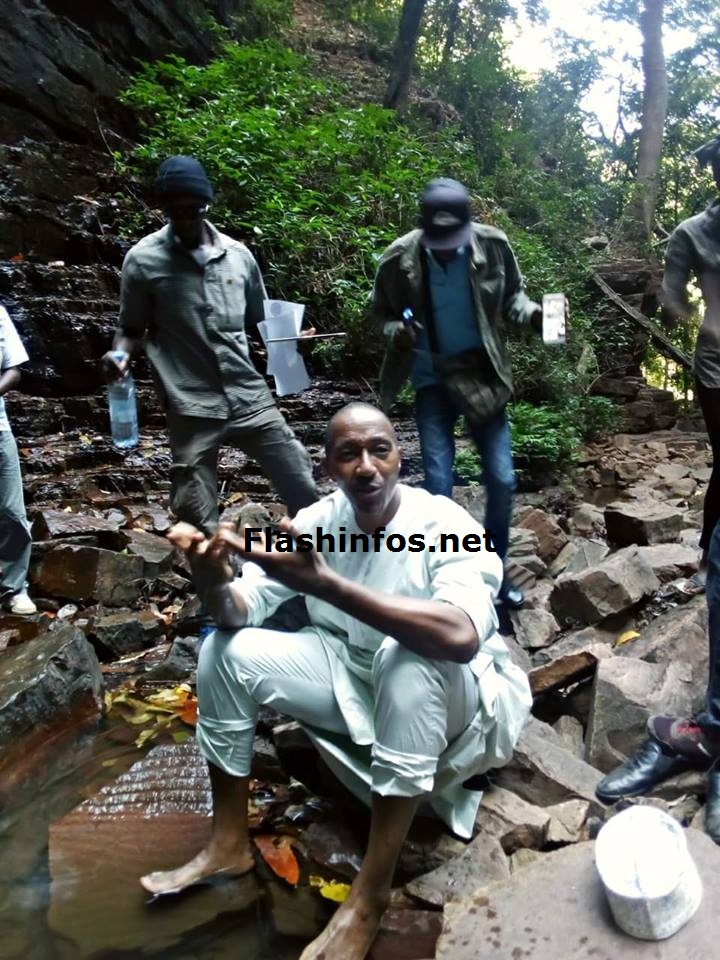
[{"x": 414, "y": 707}]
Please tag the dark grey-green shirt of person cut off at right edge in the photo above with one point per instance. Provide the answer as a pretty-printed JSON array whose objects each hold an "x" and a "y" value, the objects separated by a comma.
[{"x": 694, "y": 248}]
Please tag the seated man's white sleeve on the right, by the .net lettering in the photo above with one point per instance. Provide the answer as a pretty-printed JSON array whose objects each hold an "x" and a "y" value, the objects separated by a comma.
[{"x": 469, "y": 581}]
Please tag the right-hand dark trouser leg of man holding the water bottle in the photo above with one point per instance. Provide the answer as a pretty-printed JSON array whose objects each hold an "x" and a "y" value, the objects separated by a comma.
[{"x": 283, "y": 459}]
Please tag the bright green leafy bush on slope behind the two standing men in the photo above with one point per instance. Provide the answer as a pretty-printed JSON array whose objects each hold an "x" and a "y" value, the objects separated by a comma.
[{"x": 319, "y": 187}]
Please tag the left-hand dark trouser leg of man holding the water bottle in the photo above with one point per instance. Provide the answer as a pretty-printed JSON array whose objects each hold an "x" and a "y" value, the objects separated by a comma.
[{"x": 195, "y": 444}]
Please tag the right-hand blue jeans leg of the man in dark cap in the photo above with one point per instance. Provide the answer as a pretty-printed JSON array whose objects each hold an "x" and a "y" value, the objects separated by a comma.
[{"x": 494, "y": 444}]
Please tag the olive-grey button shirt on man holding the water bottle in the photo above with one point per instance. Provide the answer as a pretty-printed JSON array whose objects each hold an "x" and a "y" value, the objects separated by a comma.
[{"x": 193, "y": 316}]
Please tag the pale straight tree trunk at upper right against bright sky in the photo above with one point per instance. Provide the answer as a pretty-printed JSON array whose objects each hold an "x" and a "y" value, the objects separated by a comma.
[{"x": 655, "y": 98}]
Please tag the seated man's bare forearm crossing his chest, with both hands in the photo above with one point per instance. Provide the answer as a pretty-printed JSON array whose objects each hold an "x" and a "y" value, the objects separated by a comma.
[{"x": 430, "y": 628}]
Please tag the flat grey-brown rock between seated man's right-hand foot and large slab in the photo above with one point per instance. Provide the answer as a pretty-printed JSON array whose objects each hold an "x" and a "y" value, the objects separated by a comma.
[{"x": 481, "y": 862}]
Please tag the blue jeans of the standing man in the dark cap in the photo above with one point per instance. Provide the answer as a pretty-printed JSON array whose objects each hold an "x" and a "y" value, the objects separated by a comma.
[{"x": 436, "y": 417}]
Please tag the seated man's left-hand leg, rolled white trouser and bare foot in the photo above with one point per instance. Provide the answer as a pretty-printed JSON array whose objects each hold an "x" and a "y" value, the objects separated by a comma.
[{"x": 236, "y": 673}]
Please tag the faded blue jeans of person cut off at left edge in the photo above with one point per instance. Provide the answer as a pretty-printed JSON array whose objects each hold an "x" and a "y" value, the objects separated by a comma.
[{"x": 15, "y": 539}]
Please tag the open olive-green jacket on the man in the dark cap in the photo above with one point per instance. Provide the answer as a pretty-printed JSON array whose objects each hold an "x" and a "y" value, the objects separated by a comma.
[{"x": 498, "y": 294}]
